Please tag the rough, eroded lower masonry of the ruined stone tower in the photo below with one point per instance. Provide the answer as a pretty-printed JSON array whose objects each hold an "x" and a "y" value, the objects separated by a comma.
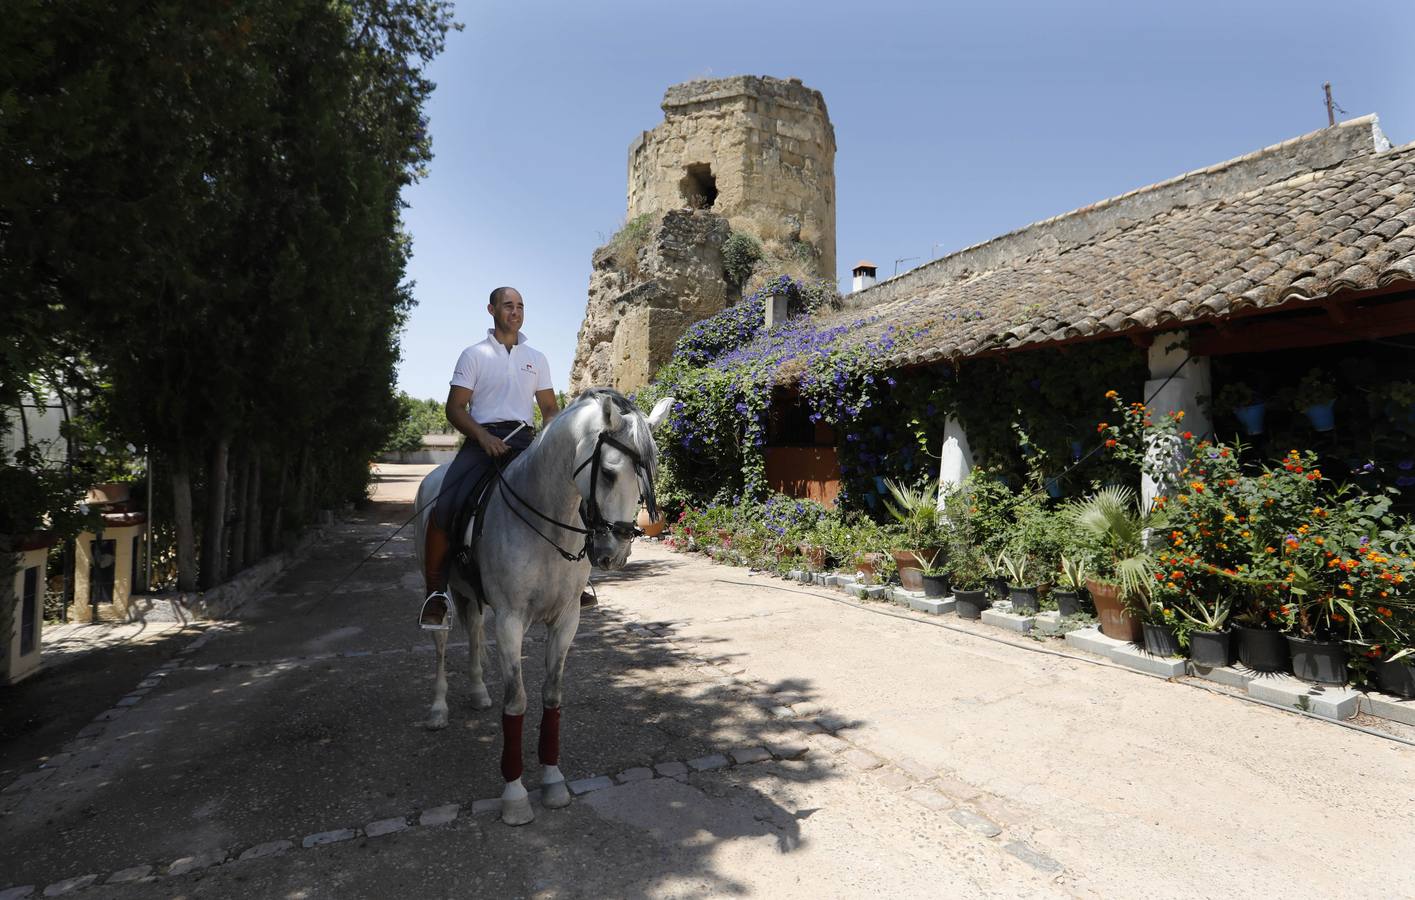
[{"x": 639, "y": 309}]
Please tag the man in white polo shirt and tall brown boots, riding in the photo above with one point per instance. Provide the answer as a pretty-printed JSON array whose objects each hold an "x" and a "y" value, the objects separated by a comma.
[{"x": 490, "y": 401}]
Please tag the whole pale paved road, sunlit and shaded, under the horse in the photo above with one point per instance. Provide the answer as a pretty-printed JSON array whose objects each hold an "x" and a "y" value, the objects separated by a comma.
[{"x": 697, "y": 694}]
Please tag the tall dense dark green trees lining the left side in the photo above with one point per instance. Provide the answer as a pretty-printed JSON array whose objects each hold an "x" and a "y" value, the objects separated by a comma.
[{"x": 200, "y": 221}]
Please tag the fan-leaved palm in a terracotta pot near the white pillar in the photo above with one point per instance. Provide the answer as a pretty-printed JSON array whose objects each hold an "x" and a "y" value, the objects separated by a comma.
[{"x": 1121, "y": 565}]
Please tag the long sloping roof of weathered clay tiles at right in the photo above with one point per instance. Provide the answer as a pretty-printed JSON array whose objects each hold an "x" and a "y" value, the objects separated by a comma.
[{"x": 1351, "y": 227}]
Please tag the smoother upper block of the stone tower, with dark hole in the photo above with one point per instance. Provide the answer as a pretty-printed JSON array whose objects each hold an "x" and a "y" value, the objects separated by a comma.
[{"x": 766, "y": 146}]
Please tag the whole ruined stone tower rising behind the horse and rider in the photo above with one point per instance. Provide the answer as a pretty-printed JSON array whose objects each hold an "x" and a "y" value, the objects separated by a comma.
[{"x": 745, "y": 154}]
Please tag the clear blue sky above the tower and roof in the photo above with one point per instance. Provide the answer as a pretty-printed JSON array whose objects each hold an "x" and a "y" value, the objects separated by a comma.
[{"x": 953, "y": 124}]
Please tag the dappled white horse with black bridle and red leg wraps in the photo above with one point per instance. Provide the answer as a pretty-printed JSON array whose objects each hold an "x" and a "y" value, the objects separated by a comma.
[{"x": 598, "y": 458}]
